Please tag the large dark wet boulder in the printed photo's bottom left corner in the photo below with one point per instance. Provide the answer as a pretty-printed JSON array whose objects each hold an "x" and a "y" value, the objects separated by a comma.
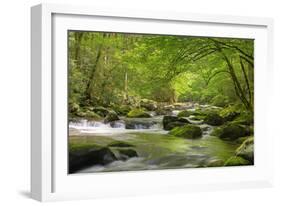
[{"x": 85, "y": 155}]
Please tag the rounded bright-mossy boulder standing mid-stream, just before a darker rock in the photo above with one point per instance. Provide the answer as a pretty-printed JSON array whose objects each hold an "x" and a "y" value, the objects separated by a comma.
[{"x": 188, "y": 131}]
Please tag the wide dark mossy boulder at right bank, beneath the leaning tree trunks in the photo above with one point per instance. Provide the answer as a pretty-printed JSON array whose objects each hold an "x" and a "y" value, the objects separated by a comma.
[{"x": 231, "y": 131}]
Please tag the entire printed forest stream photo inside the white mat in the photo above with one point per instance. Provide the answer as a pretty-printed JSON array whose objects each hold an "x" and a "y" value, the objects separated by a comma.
[{"x": 140, "y": 101}]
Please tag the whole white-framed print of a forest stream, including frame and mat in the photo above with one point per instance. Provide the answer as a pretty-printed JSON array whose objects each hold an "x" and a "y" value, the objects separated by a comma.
[{"x": 133, "y": 102}]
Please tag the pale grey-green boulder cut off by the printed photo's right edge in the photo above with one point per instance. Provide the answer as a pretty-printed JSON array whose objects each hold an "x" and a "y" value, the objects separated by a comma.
[{"x": 246, "y": 150}]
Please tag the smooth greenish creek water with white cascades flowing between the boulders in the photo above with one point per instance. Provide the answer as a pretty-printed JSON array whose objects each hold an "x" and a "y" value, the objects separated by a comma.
[{"x": 155, "y": 147}]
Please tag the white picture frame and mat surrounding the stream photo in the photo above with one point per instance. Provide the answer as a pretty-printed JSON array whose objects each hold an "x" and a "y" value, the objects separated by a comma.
[{"x": 49, "y": 178}]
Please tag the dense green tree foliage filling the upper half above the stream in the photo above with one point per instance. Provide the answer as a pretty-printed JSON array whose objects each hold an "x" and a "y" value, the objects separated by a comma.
[{"x": 115, "y": 69}]
